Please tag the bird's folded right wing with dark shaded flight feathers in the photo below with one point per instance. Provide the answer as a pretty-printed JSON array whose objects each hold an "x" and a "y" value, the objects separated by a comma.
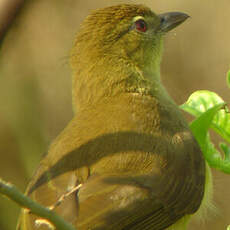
[{"x": 151, "y": 201}]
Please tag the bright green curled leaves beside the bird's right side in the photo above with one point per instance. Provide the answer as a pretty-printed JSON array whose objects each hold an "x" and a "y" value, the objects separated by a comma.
[{"x": 211, "y": 112}]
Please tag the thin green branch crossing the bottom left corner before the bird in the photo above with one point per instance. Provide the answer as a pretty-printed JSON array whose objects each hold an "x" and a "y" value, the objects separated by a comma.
[{"x": 14, "y": 194}]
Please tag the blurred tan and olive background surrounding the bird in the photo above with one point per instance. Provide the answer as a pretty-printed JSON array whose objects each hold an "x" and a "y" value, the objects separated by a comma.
[{"x": 35, "y": 81}]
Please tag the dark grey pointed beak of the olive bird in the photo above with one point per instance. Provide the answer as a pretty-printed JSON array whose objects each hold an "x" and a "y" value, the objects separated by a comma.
[{"x": 170, "y": 20}]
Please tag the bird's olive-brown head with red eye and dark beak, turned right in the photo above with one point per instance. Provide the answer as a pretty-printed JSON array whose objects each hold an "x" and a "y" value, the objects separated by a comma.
[{"x": 118, "y": 49}]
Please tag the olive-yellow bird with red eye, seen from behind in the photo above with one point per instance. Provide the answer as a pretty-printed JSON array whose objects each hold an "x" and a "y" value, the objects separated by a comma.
[{"x": 127, "y": 160}]
